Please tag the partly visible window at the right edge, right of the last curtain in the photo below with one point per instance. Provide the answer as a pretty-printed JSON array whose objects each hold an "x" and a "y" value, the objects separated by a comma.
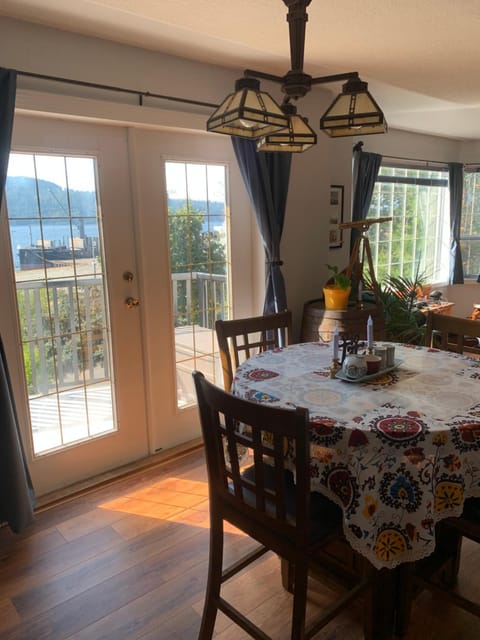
[{"x": 470, "y": 225}]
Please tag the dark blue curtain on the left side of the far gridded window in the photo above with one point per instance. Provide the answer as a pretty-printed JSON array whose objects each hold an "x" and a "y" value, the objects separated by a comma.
[{"x": 365, "y": 171}]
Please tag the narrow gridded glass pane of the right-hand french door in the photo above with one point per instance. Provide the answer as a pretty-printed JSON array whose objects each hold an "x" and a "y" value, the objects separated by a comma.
[{"x": 199, "y": 266}]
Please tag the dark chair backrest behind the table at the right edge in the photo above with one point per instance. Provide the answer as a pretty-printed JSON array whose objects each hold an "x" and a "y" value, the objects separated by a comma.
[{"x": 452, "y": 333}]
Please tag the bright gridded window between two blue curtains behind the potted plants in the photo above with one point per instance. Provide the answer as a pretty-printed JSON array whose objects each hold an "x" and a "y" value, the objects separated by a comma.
[{"x": 417, "y": 239}]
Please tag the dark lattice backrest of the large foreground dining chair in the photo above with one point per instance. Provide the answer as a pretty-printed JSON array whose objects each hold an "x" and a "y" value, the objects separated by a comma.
[{"x": 255, "y": 499}]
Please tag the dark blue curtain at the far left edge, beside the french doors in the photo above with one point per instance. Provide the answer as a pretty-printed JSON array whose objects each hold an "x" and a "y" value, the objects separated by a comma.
[{"x": 16, "y": 490}]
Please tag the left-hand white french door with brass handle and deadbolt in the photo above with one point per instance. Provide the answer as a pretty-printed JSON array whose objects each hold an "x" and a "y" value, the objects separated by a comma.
[{"x": 72, "y": 327}]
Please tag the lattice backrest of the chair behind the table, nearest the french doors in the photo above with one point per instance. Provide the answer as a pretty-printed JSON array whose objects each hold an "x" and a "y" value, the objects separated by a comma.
[{"x": 241, "y": 339}]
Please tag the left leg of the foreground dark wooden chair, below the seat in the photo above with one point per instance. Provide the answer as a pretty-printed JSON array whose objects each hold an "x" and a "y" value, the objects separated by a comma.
[{"x": 214, "y": 580}]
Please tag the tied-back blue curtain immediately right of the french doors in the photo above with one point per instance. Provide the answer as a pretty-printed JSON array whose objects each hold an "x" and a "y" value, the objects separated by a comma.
[{"x": 266, "y": 176}]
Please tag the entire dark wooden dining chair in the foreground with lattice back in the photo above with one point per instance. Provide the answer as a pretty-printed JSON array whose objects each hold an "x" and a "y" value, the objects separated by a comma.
[{"x": 263, "y": 501}]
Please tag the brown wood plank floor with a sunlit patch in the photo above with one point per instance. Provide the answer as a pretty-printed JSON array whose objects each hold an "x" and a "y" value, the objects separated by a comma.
[{"x": 128, "y": 561}]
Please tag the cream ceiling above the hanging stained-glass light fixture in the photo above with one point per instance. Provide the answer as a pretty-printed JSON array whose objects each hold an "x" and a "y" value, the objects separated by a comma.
[{"x": 421, "y": 58}]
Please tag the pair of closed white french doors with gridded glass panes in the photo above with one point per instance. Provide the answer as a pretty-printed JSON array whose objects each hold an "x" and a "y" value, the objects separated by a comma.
[{"x": 98, "y": 343}]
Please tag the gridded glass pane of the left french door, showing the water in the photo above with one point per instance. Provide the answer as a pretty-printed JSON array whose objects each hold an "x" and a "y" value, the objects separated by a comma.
[{"x": 56, "y": 239}]
